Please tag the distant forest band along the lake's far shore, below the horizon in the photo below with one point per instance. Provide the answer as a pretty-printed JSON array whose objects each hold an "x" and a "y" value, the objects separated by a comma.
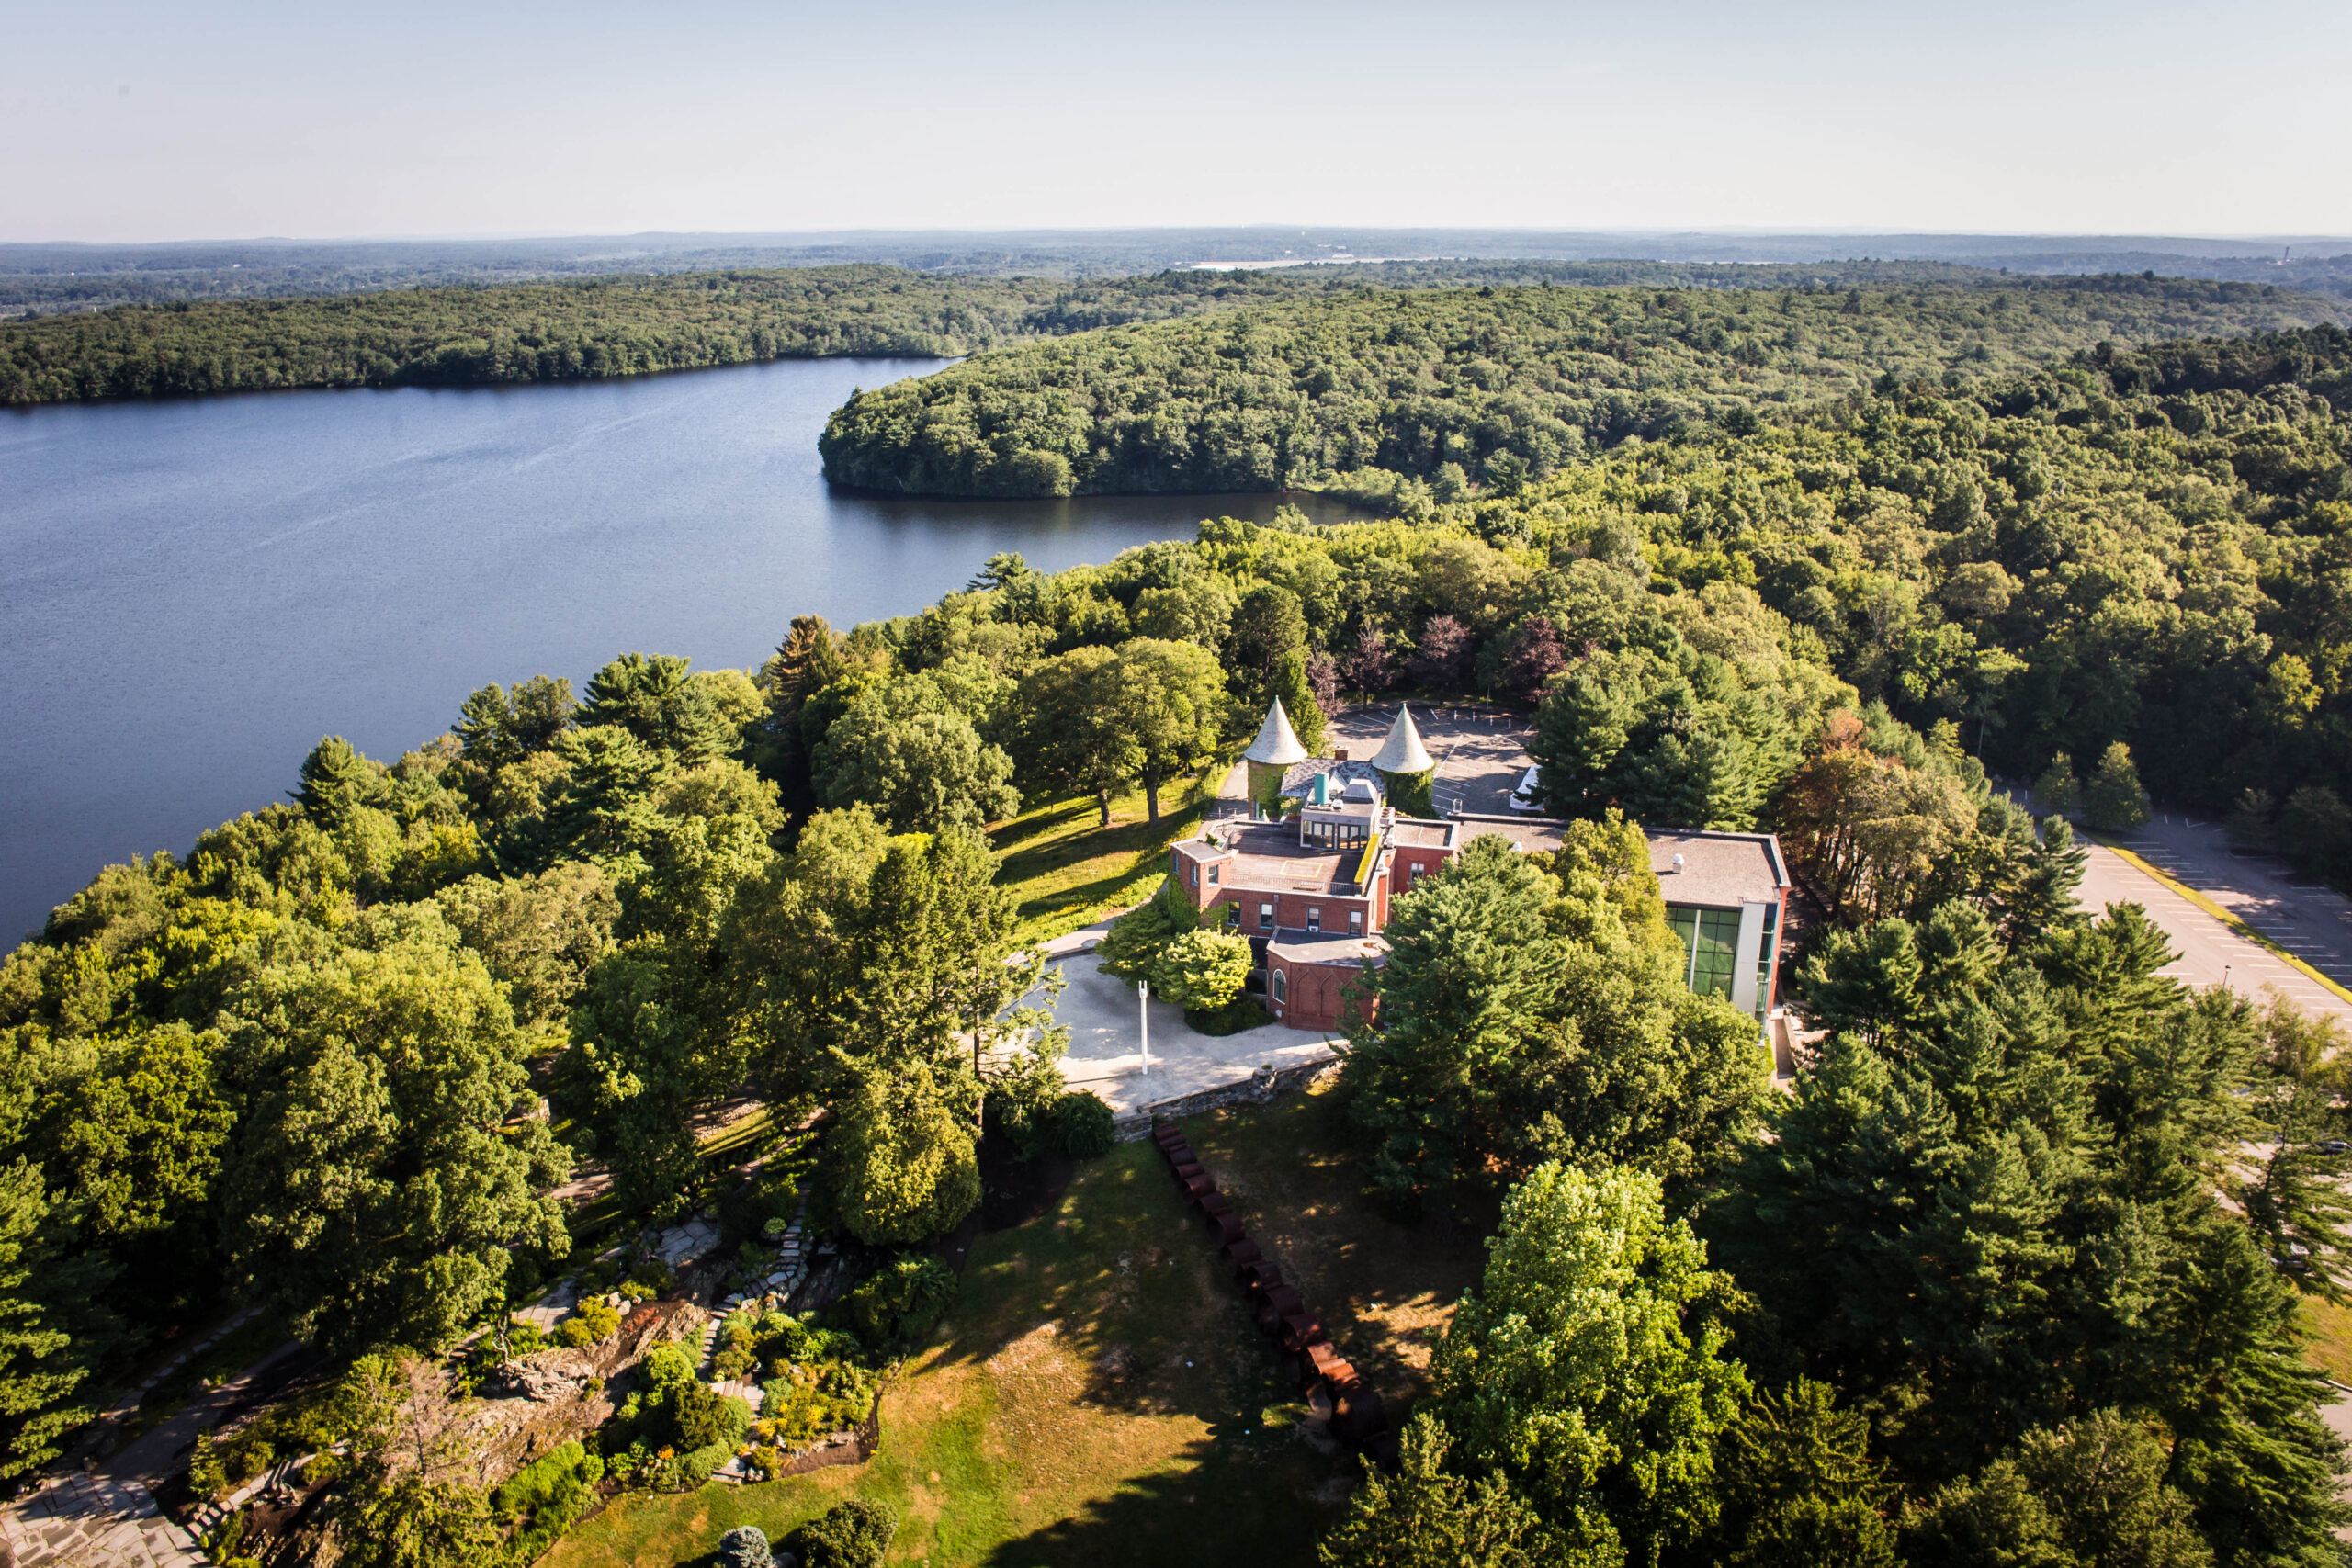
[{"x": 650, "y": 323}]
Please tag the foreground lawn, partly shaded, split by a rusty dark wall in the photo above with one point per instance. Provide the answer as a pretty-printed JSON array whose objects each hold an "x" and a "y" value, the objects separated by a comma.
[{"x": 1100, "y": 1395}]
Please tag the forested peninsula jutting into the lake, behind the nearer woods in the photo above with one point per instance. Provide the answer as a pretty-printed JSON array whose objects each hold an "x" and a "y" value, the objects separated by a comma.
[{"x": 1469, "y": 387}]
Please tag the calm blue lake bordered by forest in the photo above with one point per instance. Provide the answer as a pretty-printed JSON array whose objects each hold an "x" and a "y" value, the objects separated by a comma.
[{"x": 192, "y": 594}]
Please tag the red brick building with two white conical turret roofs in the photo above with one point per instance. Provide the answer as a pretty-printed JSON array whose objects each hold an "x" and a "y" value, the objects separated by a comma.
[{"x": 1314, "y": 890}]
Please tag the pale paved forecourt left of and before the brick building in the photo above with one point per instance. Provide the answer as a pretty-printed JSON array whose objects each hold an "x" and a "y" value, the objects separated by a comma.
[{"x": 1104, "y": 1024}]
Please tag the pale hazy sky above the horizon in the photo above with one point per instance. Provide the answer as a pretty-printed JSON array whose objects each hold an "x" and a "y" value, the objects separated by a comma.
[{"x": 168, "y": 121}]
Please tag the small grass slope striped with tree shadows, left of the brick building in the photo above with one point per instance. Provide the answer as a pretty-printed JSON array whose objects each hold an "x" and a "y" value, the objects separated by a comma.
[{"x": 1069, "y": 871}]
